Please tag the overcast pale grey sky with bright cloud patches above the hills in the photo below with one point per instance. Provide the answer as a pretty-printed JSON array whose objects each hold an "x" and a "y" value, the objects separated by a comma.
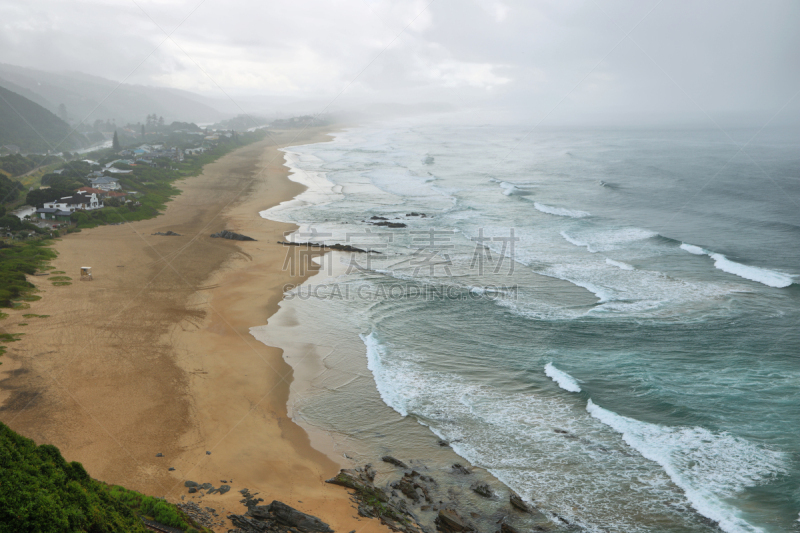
[{"x": 577, "y": 57}]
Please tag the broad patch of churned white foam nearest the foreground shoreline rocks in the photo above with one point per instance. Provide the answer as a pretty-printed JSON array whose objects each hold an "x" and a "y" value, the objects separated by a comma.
[{"x": 572, "y": 463}]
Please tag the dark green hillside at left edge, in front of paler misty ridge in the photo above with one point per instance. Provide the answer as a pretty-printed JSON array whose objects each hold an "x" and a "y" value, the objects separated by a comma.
[{"x": 31, "y": 127}]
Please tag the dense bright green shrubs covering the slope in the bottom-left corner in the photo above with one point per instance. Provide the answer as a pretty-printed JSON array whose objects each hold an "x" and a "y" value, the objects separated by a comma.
[{"x": 40, "y": 491}]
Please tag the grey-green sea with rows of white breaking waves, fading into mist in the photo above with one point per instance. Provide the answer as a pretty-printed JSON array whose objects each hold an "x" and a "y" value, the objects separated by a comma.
[{"x": 607, "y": 321}]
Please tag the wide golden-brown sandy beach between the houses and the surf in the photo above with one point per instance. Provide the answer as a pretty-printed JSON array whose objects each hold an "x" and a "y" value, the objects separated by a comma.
[{"x": 155, "y": 355}]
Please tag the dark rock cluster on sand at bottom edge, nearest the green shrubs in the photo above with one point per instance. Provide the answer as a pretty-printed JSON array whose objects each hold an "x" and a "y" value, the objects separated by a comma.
[{"x": 277, "y": 517}]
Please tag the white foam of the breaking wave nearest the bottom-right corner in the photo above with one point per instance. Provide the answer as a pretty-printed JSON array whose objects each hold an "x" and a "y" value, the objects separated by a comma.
[{"x": 709, "y": 467}]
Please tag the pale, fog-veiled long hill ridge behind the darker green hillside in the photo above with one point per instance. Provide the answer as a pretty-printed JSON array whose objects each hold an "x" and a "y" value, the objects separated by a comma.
[{"x": 89, "y": 98}]
